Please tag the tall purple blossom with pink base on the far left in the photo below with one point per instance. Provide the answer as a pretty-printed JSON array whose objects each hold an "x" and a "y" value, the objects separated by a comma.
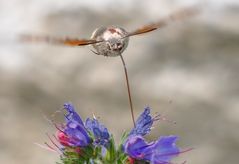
[{"x": 74, "y": 132}]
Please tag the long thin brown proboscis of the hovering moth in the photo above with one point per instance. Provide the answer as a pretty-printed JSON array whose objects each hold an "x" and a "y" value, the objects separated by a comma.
[{"x": 128, "y": 89}]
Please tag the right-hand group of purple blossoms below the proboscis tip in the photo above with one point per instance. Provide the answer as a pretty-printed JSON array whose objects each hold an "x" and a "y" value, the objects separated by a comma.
[{"x": 160, "y": 151}]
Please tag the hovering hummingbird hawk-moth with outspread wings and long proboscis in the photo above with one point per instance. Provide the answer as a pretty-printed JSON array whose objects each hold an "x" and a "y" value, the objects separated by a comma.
[{"x": 111, "y": 41}]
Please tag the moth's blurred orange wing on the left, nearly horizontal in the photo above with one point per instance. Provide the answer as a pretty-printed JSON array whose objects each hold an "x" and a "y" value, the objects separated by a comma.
[{"x": 51, "y": 40}]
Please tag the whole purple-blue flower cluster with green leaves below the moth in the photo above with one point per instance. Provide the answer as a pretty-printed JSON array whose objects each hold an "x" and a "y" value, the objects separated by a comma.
[{"x": 91, "y": 142}]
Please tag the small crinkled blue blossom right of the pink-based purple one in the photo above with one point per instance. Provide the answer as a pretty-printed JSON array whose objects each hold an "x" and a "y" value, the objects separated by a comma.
[{"x": 100, "y": 132}]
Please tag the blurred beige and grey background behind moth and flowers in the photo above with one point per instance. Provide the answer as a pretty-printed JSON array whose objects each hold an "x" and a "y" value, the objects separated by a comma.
[{"x": 187, "y": 71}]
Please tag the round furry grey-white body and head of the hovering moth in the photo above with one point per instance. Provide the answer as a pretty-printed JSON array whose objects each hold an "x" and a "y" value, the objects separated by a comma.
[{"x": 113, "y": 40}]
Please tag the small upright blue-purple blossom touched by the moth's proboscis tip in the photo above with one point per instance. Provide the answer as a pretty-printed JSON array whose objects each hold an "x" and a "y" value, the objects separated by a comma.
[{"x": 143, "y": 123}]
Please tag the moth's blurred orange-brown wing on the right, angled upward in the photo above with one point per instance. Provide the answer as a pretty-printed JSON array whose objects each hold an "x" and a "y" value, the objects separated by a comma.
[{"x": 179, "y": 15}]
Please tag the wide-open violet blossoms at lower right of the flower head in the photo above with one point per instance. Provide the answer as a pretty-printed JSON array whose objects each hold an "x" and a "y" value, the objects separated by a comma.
[{"x": 158, "y": 152}]
